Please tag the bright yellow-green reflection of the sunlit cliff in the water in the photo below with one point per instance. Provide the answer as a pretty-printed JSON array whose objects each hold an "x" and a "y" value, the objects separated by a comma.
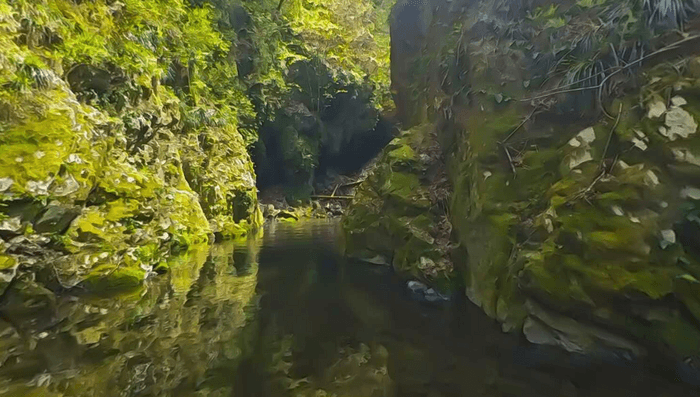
[{"x": 187, "y": 334}]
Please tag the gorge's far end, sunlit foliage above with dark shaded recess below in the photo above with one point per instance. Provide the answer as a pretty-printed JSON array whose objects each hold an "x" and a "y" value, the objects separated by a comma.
[{"x": 312, "y": 69}]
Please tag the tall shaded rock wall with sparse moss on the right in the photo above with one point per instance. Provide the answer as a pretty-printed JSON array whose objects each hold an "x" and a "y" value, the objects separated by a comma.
[{"x": 570, "y": 136}]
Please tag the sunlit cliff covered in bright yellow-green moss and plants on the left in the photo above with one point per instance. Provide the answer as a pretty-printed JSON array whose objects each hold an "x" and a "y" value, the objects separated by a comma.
[{"x": 119, "y": 140}]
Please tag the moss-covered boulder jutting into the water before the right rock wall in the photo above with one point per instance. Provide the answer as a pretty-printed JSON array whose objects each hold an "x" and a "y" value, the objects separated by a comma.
[{"x": 398, "y": 214}]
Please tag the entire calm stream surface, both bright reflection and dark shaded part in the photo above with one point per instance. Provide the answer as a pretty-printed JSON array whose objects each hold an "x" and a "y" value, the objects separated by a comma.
[{"x": 286, "y": 315}]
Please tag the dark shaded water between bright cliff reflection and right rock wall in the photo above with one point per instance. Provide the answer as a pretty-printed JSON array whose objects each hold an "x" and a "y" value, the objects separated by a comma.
[{"x": 329, "y": 328}]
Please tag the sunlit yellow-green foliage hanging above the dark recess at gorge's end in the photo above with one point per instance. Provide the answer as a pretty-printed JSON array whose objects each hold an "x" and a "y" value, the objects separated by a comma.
[{"x": 350, "y": 36}]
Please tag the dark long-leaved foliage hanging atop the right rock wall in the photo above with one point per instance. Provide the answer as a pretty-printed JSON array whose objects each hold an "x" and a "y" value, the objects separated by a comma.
[{"x": 593, "y": 38}]
